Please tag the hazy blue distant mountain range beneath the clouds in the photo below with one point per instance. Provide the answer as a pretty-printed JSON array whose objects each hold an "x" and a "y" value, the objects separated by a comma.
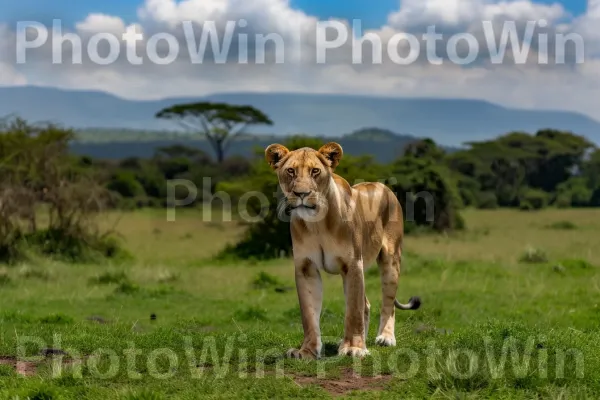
[{"x": 448, "y": 121}]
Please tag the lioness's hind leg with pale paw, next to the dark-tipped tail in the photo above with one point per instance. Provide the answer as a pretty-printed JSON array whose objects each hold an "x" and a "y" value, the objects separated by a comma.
[{"x": 389, "y": 267}]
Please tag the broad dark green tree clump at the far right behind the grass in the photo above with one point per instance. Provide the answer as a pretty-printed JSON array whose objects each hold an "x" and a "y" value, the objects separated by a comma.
[{"x": 508, "y": 165}]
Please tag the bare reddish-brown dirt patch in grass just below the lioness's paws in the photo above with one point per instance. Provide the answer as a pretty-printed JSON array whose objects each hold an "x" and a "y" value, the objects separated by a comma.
[{"x": 347, "y": 382}]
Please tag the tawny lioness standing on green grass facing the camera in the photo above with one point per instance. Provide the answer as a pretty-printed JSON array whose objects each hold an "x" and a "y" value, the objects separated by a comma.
[{"x": 340, "y": 229}]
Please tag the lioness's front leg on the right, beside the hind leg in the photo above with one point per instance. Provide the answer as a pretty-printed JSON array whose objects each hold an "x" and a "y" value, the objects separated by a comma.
[{"x": 354, "y": 341}]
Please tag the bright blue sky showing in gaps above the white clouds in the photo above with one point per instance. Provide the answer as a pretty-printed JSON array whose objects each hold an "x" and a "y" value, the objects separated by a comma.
[{"x": 373, "y": 13}]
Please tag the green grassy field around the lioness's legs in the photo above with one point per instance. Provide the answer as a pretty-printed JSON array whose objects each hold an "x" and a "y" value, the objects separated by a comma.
[{"x": 510, "y": 311}]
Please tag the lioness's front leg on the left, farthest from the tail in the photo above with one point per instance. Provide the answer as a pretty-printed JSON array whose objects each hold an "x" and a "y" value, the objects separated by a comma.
[{"x": 310, "y": 296}]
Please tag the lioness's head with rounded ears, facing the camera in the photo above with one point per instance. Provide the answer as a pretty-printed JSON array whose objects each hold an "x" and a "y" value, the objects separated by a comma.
[{"x": 304, "y": 174}]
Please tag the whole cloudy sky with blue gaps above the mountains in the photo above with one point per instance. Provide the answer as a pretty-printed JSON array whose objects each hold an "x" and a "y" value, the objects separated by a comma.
[{"x": 568, "y": 78}]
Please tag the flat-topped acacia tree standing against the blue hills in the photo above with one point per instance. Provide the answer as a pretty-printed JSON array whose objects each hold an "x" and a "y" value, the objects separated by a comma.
[{"x": 220, "y": 123}]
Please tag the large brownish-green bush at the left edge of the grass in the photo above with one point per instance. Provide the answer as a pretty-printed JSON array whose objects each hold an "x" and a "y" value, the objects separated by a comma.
[{"x": 38, "y": 173}]
